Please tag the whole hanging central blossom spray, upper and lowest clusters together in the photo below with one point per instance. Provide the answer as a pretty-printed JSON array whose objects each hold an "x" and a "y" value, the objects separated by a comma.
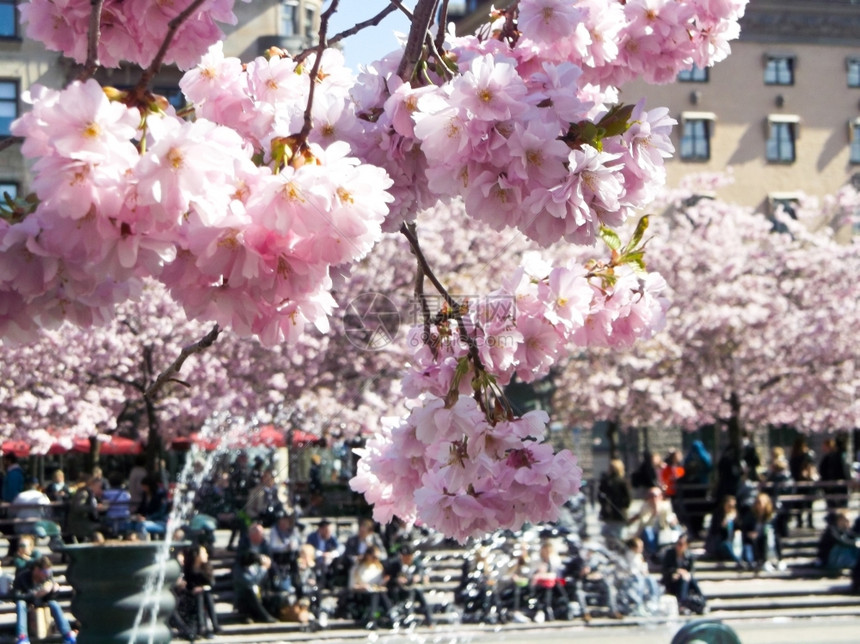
[{"x": 461, "y": 461}]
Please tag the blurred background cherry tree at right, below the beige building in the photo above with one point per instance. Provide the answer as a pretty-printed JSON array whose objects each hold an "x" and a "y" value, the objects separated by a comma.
[{"x": 763, "y": 332}]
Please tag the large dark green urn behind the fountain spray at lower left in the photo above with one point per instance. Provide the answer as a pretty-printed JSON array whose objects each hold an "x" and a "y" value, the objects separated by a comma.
[{"x": 110, "y": 583}]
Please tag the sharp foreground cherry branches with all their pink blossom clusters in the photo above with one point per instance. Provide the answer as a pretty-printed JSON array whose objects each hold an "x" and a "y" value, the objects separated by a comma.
[{"x": 291, "y": 169}]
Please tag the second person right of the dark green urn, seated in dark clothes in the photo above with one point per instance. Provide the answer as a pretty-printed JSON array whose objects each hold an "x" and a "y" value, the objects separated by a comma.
[{"x": 251, "y": 576}]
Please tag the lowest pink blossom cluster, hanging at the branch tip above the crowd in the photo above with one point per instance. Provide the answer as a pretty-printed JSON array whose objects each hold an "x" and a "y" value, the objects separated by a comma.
[{"x": 462, "y": 475}]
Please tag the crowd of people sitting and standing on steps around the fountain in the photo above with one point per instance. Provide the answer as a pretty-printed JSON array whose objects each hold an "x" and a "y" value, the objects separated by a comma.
[{"x": 739, "y": 507}]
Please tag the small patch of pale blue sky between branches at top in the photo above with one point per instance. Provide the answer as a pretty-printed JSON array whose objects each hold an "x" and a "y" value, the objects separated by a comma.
[{"x": 371, "y": 43}]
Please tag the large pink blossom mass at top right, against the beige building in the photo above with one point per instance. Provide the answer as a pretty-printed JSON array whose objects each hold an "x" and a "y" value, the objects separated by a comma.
[{"x": 525, "y": 130}]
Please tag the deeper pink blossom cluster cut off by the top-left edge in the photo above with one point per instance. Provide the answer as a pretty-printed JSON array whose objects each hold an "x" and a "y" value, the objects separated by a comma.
[{"x": 130, "y": 30}]
